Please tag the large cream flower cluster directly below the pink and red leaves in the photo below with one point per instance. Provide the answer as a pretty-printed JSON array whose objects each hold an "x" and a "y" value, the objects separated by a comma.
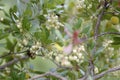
[{"x": 64, "y": 59}]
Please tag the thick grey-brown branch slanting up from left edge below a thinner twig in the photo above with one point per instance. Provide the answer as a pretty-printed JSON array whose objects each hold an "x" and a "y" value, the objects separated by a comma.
[{"x": 12, "y": 62}]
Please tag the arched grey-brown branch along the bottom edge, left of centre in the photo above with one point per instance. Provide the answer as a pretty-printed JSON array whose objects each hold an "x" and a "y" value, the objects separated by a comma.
[{"x": 48, "y": 74}]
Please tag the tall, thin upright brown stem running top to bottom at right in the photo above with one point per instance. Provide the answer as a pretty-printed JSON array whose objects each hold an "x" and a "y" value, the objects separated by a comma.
[{"x": 91, "y": 62}]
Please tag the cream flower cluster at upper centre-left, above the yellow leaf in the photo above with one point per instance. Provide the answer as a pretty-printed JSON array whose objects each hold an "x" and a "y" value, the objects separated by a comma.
[{"x": 52, "y": 21}]
